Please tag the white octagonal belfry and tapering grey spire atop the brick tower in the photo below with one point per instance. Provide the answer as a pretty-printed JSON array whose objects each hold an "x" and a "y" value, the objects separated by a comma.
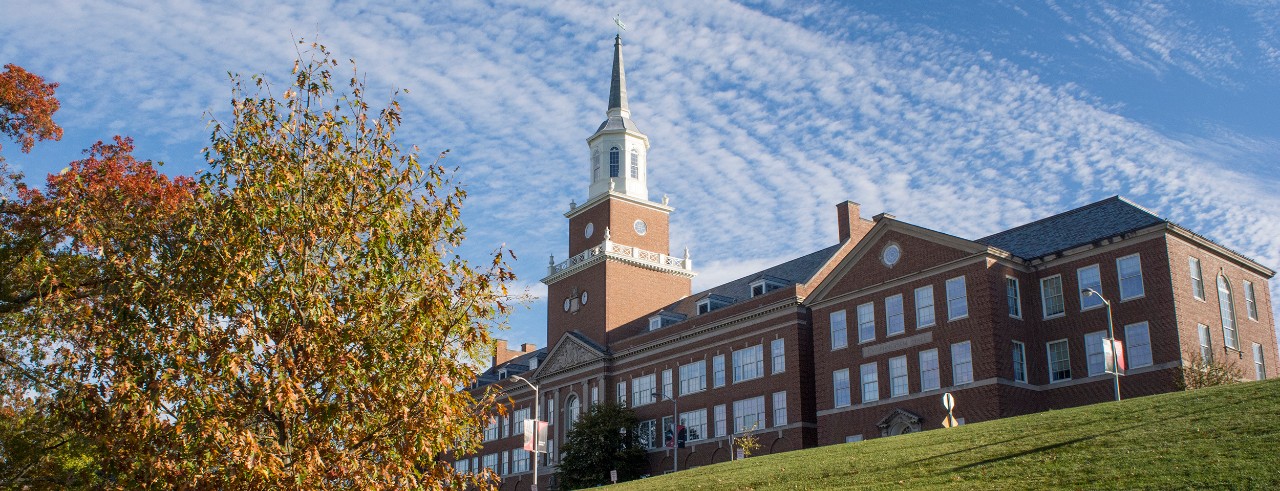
[{"x": 619, "y": 149}]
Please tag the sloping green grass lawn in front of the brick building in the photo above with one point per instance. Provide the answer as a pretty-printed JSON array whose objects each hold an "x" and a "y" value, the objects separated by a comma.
[{"x": 1220, "y": 438}]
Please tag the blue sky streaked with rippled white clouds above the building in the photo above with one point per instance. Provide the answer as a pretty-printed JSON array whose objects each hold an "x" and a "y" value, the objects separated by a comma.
[{"x": 963, "y": 117}]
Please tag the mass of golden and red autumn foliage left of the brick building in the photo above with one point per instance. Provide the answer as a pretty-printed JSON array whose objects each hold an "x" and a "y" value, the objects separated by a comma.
[{"x": 295, "y": 318}]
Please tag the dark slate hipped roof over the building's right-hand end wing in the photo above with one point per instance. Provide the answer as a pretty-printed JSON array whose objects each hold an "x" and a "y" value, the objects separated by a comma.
[{"x": 1085, "y": 226}]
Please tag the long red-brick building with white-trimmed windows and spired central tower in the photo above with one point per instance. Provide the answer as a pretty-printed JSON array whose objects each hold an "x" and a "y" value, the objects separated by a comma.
[{"x": 861, "y": 339}]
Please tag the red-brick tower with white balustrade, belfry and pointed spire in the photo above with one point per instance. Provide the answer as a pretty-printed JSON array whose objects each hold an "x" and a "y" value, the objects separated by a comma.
[{"x": 620, "y": 265}]
